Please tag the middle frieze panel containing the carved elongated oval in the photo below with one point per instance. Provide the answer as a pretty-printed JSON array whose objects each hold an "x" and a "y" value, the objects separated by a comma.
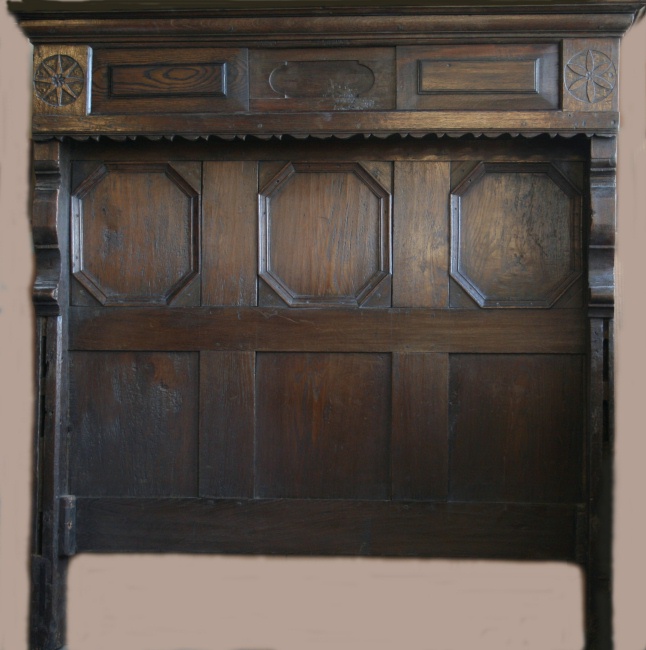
[{"x": 335, "y": 79}]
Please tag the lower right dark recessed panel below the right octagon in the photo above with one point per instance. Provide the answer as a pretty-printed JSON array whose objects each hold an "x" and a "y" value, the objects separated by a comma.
[{"x": 517, "y": 427}]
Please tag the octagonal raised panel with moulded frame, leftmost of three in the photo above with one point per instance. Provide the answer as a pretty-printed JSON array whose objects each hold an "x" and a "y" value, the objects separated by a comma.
[{"x": 135, "y": 235}]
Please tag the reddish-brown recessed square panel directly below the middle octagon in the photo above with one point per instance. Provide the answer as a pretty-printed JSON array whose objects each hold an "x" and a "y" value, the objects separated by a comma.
[{"x": 323, "y": 425}]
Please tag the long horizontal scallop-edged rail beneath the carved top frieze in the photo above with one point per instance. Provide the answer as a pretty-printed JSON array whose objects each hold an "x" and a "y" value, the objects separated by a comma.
[{"x": 329, "y": 124}]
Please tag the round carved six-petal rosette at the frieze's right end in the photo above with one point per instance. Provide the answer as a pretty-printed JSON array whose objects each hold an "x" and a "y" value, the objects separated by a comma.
[{"x": 590, "y": 76}]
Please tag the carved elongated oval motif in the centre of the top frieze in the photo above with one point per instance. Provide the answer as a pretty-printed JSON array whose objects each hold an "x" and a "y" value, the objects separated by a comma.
[{"x": 310, "y": 79}]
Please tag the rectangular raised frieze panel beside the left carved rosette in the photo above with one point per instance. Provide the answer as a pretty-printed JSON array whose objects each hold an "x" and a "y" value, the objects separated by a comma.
[{"x": 145, "y": 80}]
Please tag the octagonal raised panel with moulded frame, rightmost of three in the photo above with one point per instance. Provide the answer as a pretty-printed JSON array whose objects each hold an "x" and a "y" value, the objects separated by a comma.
[{"x": 515, "y": 234}]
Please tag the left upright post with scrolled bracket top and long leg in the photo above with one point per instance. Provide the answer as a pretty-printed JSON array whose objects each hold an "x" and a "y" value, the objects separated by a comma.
[{"x": 50, "y": 228}]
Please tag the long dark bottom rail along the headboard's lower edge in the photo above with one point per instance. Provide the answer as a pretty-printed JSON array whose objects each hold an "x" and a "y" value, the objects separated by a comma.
[{"x": 327, "y": 527}]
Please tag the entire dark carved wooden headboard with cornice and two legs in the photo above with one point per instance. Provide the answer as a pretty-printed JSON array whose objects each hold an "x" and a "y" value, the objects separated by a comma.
[{"x": 324, "y": 280}]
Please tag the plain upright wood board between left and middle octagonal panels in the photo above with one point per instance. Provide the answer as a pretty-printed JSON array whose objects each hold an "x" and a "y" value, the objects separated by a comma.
[{"x": 230, "y": 233}]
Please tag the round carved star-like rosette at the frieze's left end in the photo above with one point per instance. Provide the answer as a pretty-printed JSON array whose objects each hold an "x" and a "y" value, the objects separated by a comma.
[{"x": 59, "y": 80}]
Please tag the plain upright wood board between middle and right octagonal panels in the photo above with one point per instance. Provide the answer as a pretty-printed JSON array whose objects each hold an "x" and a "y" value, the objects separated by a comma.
[{"x": 421, "y": 235}]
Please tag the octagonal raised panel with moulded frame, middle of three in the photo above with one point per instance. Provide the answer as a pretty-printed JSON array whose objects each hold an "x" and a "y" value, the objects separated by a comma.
[{"x": 324, "y": 234}]
